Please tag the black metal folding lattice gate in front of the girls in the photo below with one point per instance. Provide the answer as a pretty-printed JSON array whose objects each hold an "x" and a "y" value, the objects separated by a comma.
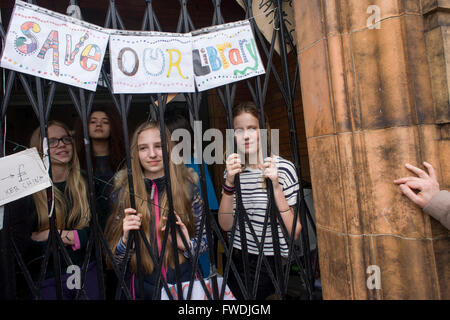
[{"x": 41, "y": 92}]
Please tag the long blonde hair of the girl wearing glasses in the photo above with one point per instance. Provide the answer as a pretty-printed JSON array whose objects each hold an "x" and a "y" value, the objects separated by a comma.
[{"x": 79, "y": 215}]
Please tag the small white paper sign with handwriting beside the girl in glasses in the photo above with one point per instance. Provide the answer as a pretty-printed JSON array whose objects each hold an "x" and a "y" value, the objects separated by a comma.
[{"x": 22, "y": 174}]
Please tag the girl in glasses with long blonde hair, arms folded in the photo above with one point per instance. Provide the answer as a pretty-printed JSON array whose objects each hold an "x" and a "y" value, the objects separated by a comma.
[{"x": 70, "y": 207}]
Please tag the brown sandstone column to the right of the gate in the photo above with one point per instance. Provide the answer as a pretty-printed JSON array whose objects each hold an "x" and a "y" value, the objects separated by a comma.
[{"x": 374, "y": 98}]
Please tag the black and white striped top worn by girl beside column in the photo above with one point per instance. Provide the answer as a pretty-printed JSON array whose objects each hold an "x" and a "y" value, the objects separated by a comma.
[{"x": 255, "y": 200}]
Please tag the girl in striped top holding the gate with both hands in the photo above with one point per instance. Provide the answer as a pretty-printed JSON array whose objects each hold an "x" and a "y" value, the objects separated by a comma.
[{"x": 253, "y": 170}]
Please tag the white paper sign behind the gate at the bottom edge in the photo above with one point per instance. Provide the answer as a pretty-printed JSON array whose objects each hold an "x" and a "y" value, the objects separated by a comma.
[{"x": 198, "y": 293}]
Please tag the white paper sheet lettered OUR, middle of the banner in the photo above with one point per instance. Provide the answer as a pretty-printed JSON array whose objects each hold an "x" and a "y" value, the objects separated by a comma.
[{"x": 151, "y": 62}]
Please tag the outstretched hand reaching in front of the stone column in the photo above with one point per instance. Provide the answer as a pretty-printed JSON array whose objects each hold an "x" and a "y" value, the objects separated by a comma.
[{"x": 426, "y": 183}]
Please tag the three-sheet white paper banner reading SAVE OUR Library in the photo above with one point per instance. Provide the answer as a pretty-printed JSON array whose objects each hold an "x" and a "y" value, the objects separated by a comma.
[{"x": 57, "y": 47}]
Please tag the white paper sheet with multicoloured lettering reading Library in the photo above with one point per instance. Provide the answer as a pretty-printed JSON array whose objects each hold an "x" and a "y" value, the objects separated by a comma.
[{"x": 225, "y": 54}]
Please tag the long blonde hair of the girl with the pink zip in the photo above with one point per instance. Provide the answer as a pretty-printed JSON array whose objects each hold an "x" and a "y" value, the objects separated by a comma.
[{"x": 180, "y": 178}]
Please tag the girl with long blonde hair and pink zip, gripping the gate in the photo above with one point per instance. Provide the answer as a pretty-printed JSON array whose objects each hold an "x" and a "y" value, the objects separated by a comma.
[{"x": 149, "y": 183}]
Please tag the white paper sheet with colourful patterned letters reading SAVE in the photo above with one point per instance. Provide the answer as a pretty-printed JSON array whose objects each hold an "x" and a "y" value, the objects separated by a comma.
[{"x": 53, "y": 46}]
